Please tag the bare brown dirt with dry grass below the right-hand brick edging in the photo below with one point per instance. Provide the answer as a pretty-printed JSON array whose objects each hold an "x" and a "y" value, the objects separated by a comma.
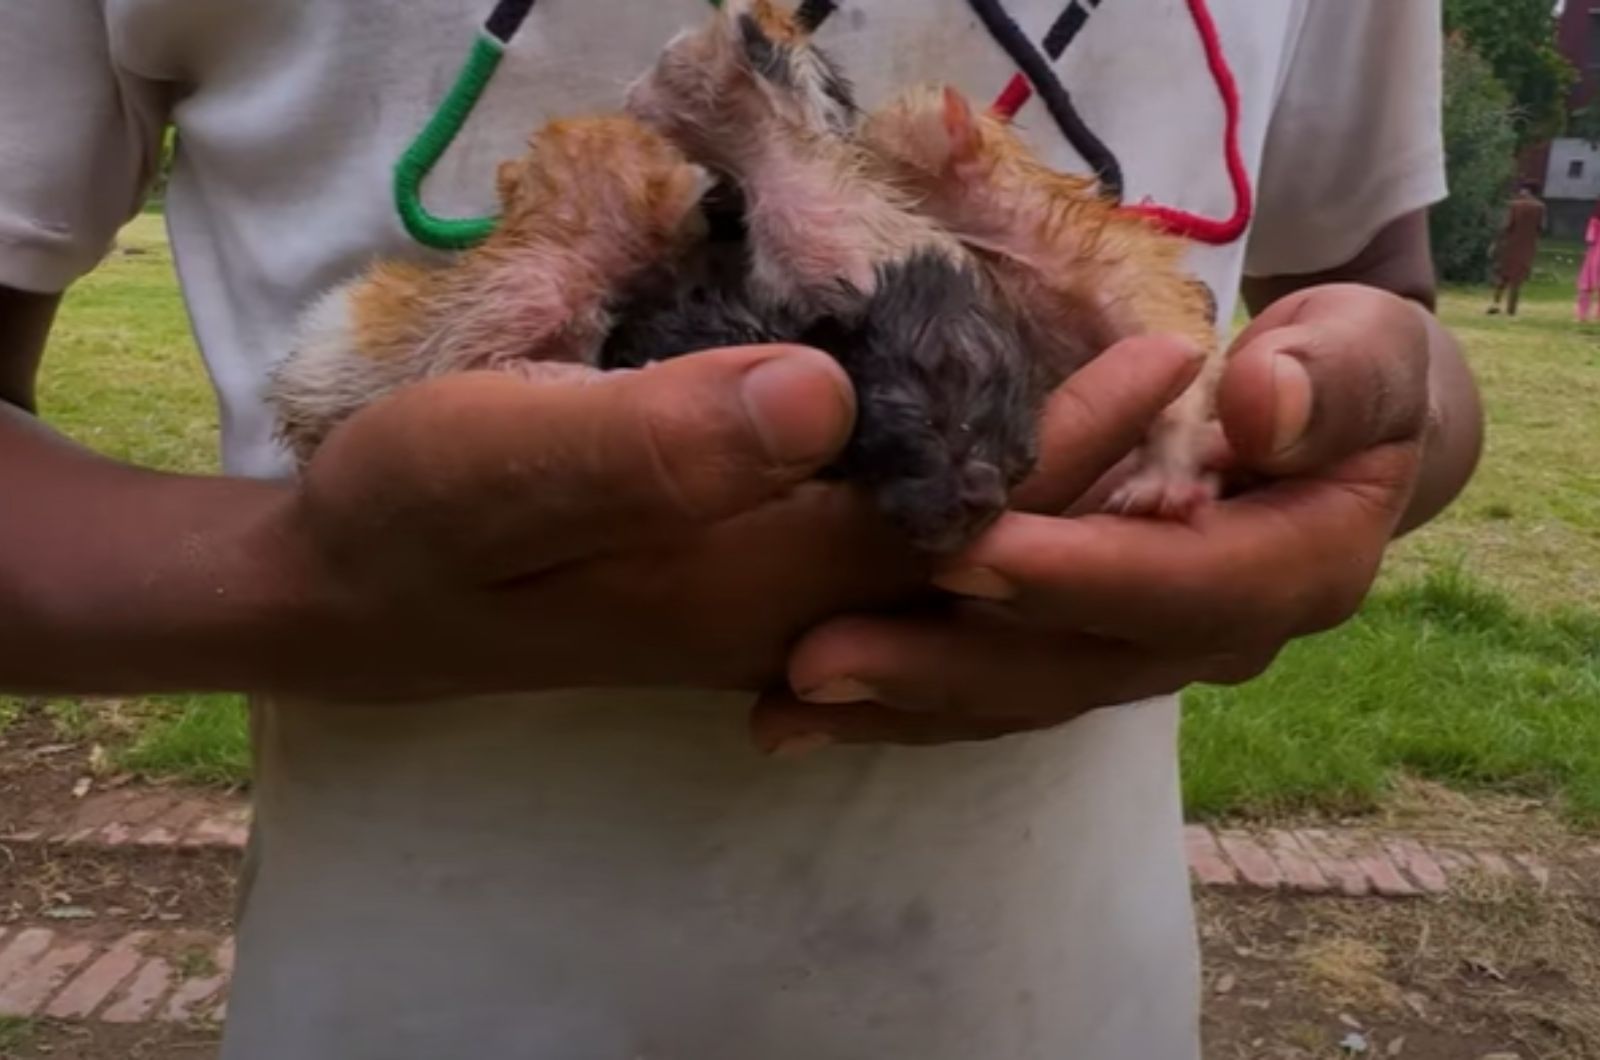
[{"x": 1500, "y": 971}]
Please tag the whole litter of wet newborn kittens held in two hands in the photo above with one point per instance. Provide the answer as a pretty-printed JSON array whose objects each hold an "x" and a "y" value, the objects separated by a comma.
[{"x": 742, "y": 196}]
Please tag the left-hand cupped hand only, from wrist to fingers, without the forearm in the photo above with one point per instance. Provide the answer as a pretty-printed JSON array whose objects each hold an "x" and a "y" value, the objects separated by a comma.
[{"x": 492, "y": 532}]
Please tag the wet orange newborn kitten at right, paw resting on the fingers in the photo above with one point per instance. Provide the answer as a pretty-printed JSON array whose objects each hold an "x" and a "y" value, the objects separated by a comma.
[{"x": 1079, "y": 273}]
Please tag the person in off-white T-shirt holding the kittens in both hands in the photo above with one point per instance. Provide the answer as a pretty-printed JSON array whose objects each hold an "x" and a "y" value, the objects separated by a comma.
[{"x": 497, "y": 816}]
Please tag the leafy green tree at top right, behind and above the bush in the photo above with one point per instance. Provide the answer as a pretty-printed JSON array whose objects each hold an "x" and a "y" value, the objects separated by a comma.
[{"x": 1519, "y": 41}]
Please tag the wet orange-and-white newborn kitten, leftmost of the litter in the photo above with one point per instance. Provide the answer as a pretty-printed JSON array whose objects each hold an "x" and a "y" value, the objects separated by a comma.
[{"x": 585, "y": 211}]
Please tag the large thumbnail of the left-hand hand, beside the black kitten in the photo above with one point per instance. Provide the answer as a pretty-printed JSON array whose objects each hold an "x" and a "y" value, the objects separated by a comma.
[{"x": 801, "y": 406}]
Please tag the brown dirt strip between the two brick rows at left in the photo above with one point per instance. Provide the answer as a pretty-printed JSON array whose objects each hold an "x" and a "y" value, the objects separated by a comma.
[{"x": 103, "y": 894}]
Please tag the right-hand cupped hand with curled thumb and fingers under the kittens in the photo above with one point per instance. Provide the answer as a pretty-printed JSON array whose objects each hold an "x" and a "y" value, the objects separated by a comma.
[{"x": 1327, "y": 411}]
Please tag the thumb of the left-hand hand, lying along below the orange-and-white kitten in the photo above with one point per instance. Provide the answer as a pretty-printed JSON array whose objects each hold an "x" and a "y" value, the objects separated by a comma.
[{"x": 514, "y": 475}]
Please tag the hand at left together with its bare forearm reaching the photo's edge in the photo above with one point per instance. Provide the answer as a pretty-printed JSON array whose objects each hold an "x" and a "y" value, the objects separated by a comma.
[{"x": 474, "y": 534}]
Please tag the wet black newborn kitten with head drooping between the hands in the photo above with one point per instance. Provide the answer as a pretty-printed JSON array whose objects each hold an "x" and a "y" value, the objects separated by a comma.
[{"x": 946, "y": 403}]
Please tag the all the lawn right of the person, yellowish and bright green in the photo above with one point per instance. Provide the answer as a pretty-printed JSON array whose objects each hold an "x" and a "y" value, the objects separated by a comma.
[{"x": 1476, "y": 662}]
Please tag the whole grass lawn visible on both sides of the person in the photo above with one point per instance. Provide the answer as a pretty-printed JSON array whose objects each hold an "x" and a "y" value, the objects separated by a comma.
[{"x": 1476, "y": 664}]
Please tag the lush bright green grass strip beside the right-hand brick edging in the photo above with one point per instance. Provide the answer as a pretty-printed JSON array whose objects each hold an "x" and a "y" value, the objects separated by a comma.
[{"x": 1441, "y": 678}]
